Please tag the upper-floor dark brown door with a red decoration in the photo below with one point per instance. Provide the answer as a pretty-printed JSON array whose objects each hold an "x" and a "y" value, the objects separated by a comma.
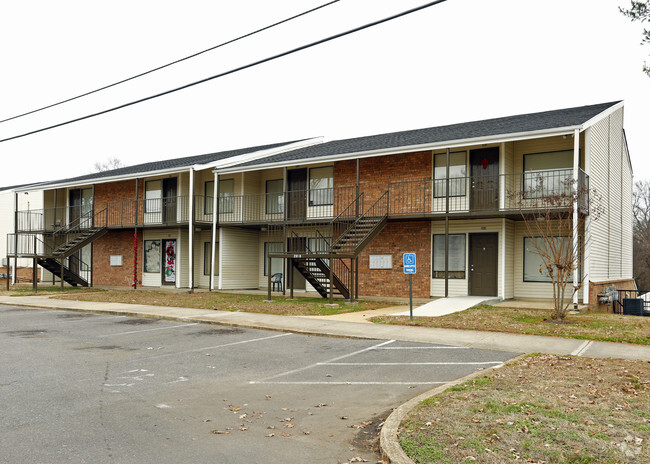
[{"x": 484, "y": 171}]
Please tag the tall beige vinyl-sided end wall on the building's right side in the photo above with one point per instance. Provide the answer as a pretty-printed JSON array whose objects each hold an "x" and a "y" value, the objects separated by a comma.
[{"x": 610, "y": 177}]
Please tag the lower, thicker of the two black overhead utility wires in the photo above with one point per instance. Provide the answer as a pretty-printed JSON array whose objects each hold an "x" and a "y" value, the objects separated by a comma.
[{"x": 232, "y": 71}]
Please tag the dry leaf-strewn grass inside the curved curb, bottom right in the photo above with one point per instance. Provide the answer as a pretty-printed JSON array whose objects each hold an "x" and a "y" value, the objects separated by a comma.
[{"x": 541, "y": 409}]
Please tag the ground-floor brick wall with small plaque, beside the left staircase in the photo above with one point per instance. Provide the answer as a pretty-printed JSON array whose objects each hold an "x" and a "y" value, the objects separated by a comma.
[{"x": 118, "y": 242}]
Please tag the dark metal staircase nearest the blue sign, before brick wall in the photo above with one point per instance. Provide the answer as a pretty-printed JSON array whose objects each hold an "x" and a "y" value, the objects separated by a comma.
[{"x": 355, "y": 234}]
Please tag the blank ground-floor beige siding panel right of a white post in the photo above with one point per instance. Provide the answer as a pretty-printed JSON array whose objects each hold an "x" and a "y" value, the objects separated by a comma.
[{"x": 239, "y": 256}]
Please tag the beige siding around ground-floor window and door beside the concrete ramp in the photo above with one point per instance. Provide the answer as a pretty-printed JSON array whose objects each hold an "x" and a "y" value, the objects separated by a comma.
[{"x": 460, "y": 287}]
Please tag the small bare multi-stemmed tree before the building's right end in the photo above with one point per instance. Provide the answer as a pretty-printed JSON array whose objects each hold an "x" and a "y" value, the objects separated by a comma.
[{"x": 546, "y": 204}]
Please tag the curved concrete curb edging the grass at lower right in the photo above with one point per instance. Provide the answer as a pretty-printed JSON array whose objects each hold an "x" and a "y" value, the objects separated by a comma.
[{"x": 391, "y": 450}]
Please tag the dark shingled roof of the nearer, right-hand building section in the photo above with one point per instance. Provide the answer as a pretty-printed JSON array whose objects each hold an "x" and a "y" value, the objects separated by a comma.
[{"x": 468, "y": 130}]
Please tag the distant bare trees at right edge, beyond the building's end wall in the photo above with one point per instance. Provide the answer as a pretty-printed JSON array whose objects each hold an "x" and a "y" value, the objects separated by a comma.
[{"x": 641, "y": 211}]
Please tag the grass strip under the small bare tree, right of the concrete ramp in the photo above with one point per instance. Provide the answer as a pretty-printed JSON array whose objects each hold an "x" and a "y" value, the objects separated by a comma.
[{"x": 588, "y": 326}]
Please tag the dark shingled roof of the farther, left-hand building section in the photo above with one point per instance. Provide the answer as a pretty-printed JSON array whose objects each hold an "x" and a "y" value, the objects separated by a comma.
[{"x": 167, "y": 164}]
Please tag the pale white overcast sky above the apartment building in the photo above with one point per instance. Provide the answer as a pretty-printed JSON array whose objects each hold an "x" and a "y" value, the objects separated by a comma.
[{"x": 459, "y": 61}]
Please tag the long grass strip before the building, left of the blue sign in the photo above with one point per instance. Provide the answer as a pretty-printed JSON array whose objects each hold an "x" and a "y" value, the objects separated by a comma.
[{"x": 216, "y": 300}]
